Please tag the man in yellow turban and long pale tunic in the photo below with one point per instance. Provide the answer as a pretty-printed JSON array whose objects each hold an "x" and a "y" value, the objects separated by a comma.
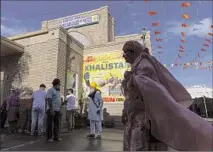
[{"x": 95, "y": 112}]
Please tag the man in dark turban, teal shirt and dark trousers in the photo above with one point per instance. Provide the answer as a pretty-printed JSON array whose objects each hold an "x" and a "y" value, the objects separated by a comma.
[{"x": 53, "y": 111}]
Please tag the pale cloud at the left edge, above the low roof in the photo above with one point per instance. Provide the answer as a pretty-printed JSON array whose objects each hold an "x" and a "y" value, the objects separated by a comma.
[{"x": 15, "y": 28}]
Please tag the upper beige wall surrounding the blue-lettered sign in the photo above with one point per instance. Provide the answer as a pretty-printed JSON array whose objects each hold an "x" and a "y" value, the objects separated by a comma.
[{"x": 96, "y": 33}]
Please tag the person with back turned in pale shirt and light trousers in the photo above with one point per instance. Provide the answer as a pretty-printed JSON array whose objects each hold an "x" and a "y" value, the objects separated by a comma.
[{"x": 38, "y": 109}]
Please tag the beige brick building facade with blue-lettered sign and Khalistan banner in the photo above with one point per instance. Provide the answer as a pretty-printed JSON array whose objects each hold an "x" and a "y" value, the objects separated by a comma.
[{"x": 63, "y": 48}]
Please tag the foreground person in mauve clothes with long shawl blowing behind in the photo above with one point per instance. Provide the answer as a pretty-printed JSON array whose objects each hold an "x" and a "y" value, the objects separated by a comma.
[{"x": 156, "y": 107}]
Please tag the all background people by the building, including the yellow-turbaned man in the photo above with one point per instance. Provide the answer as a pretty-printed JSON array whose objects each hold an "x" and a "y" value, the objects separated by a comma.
[{"x": 49, "y": 103}]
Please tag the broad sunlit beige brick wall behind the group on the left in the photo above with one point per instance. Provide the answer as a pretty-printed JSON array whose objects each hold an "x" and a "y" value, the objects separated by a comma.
[{"x": 40, "y": 56}]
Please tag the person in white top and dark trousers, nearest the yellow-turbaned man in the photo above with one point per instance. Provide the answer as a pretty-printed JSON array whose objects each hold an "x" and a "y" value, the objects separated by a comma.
[{"x": 70, "y": 112}]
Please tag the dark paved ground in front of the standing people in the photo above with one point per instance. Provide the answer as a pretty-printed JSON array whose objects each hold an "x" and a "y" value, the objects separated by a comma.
[{"x": 112, "y": 140}]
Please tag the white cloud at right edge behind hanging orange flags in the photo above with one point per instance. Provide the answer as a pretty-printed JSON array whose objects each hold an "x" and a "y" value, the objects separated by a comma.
[{"x": 200, "y": 29}]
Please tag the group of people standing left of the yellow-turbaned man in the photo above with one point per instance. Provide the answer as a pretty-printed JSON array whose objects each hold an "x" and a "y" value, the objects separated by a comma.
[{"x": 42, "y": 103}]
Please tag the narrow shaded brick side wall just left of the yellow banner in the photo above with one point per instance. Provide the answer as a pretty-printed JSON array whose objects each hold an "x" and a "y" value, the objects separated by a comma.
[{"x": 69, "y": 47}]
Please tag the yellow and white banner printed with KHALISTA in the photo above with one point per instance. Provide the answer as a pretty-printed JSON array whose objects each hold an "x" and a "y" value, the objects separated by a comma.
[{"x": 107, "y": 71}]
